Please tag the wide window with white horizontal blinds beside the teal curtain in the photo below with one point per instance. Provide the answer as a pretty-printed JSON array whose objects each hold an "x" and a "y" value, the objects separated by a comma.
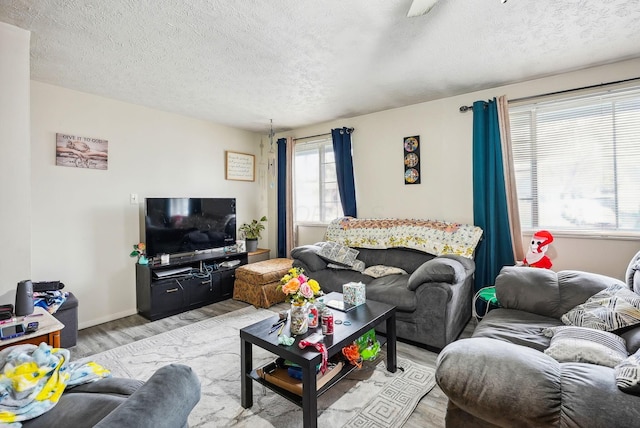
[{"x": 577, "y": 162}]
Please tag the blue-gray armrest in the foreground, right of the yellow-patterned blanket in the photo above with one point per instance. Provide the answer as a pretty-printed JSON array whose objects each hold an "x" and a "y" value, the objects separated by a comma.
[{"x": 165, "y": 400}]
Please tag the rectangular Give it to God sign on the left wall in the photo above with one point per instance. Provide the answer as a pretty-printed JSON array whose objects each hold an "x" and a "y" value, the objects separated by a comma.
[{"x": 81, "y": 152}]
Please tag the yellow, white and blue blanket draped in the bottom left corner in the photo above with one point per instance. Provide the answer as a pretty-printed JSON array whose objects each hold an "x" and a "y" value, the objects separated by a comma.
[{"x": 32, "y": 379}]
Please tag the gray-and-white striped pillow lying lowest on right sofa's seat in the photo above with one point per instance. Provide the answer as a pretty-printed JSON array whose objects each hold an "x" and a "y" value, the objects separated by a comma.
[{"x": 585, "y": 345}]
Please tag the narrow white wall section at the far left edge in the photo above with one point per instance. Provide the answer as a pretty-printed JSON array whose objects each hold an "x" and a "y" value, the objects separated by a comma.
[{"x": 15, "y": 178}]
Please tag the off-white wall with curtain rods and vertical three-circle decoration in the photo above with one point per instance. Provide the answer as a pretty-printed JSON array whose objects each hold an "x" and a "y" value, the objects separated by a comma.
[{"x": 446, "y": 155}]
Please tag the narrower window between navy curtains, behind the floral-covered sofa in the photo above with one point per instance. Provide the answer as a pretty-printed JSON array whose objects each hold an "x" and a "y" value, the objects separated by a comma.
[{"x": 315, "y": 185}]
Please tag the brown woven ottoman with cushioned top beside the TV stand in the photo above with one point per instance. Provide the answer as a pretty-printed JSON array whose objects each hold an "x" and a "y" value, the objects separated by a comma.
[{"x": 257, "y": 283}]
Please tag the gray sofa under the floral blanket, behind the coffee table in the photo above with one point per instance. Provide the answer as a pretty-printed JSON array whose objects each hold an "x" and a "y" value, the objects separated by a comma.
[{"x": 433, "y": 297}]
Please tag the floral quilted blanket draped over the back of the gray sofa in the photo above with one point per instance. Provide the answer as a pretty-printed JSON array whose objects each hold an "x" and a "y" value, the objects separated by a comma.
[{"x": 431, "y": 236}]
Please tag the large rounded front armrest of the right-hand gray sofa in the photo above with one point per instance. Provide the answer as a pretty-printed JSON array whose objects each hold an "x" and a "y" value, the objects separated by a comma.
[{"x": 474, "y": 374}]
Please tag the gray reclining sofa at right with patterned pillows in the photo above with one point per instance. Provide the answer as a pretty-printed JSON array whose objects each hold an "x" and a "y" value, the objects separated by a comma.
[{"x": 510, "y": 372}]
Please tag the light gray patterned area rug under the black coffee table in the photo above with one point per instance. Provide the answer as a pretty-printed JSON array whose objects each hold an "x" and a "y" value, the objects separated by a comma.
[{"x": 370, "y": 397}]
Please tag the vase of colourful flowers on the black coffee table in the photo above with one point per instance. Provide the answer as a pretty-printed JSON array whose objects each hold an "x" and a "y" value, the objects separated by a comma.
[{"x": 300, "y": 291}]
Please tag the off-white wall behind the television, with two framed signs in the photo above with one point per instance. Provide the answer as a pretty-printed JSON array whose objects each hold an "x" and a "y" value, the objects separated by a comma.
[{"x": 83, "y": 224}]
